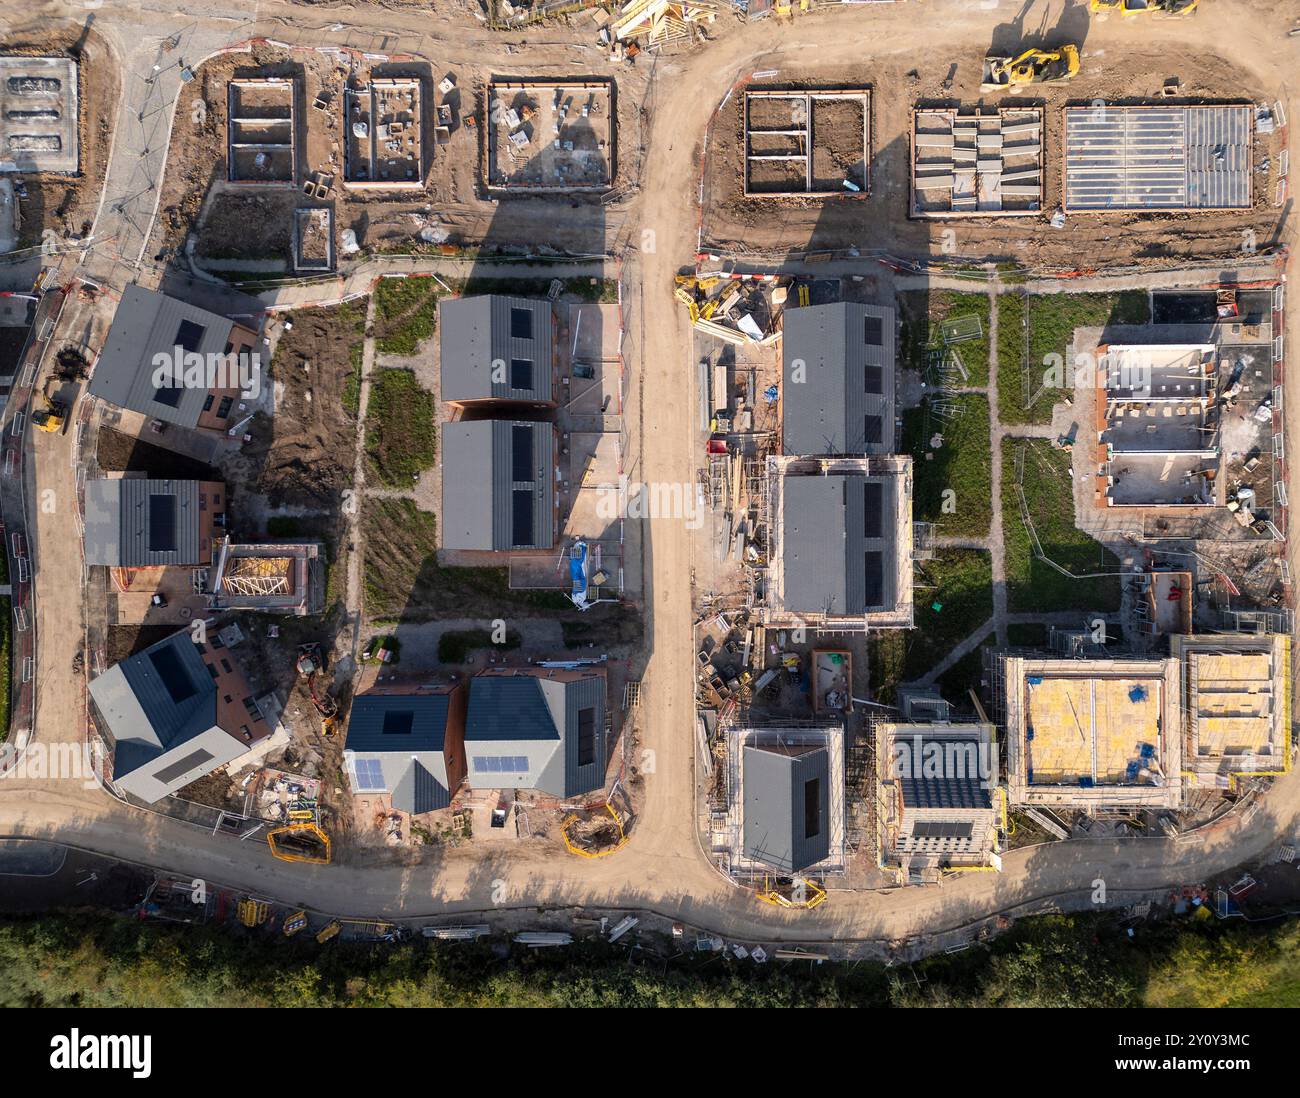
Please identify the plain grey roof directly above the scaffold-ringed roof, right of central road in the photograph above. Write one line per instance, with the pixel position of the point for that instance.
(846, 380)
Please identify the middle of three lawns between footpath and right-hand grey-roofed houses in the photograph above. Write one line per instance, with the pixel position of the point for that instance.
(963, 465)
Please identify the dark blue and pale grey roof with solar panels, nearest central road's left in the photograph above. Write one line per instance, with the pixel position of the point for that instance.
(536, 722)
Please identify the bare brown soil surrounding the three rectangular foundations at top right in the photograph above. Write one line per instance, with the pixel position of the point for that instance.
(777, 227)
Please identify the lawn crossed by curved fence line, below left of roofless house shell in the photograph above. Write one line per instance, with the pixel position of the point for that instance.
(1032, 584)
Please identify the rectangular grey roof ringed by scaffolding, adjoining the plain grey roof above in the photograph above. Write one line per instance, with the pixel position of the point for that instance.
(829, 558)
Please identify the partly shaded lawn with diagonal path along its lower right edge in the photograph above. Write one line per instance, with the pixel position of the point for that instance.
(961, 583)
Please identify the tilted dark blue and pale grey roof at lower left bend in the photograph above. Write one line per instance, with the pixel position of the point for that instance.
(155, 701)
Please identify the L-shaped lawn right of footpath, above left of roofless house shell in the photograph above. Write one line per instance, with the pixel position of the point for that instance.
(1052, 318)
